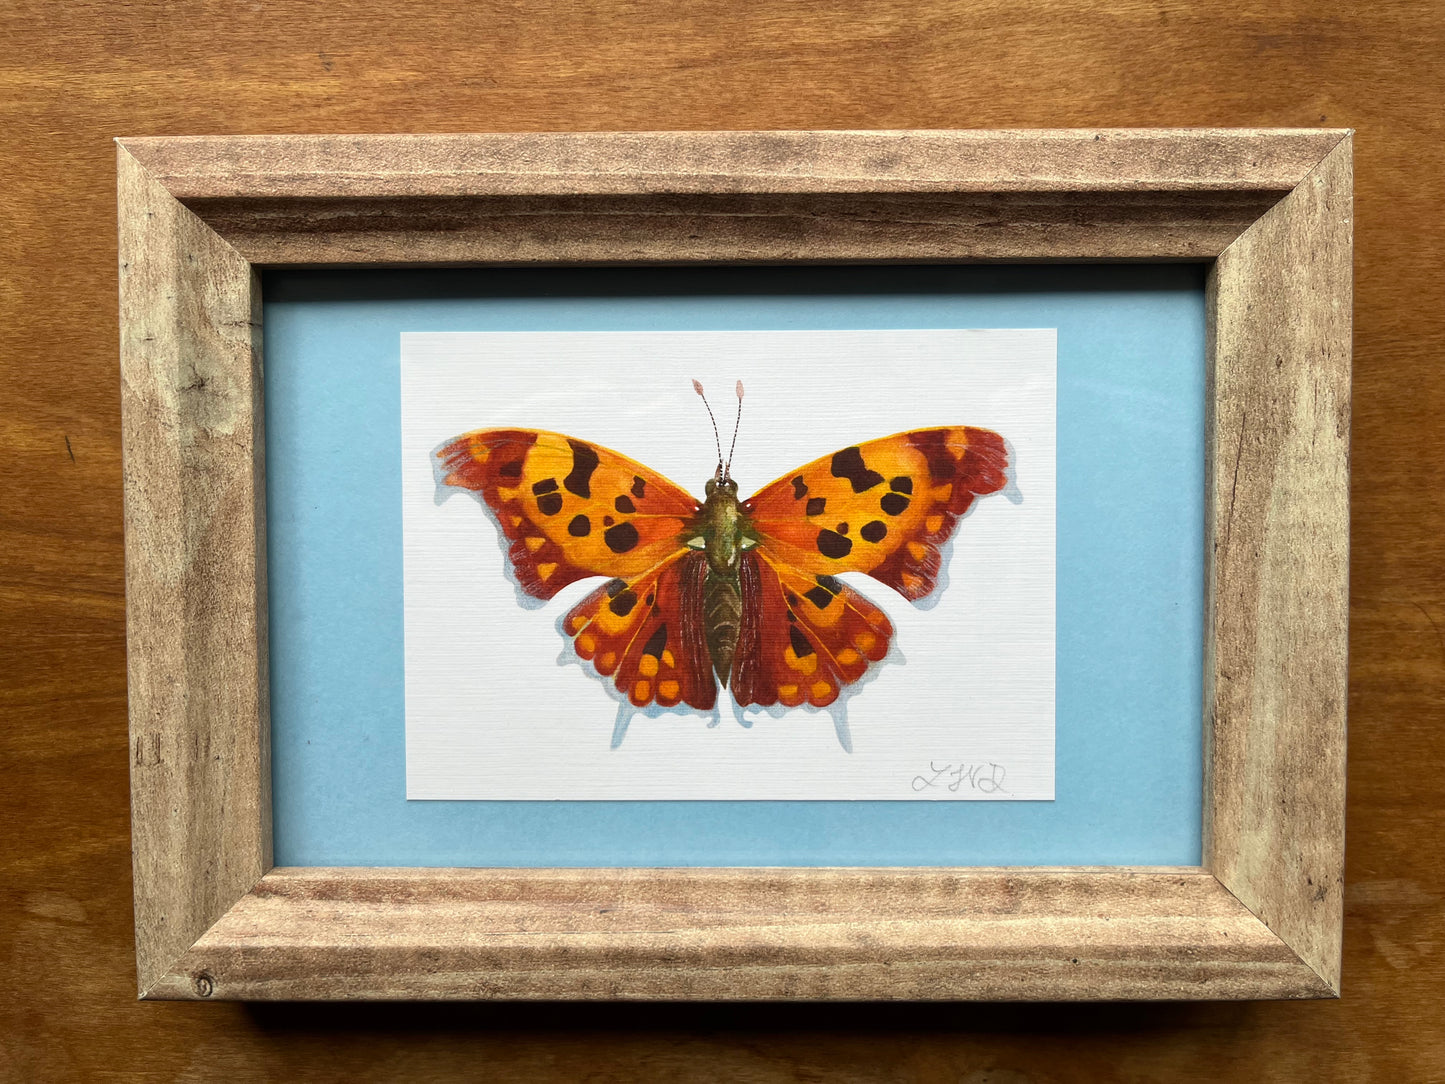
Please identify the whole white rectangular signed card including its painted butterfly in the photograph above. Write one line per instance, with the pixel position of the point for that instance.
(729, 564)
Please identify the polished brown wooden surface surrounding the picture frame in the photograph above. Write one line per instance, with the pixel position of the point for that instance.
(76, 74)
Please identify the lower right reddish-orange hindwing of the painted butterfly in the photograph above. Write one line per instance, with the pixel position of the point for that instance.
(803, 638)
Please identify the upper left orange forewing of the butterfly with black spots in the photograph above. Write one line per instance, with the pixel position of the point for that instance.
(571, 509)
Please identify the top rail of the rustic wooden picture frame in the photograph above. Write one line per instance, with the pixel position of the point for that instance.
(736, 197)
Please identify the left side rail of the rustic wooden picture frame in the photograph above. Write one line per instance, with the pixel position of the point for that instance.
(196, 566)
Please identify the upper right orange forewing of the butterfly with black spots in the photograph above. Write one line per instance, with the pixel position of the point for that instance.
(884, 508)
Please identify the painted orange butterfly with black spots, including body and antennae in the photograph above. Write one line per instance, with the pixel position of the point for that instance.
(728, 592)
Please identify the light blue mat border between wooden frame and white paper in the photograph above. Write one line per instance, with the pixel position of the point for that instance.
(1131, 567)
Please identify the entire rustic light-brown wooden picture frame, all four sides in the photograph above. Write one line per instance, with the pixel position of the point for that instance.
(1269, 210)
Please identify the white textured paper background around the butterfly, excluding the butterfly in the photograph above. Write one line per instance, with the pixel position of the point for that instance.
(963, 707)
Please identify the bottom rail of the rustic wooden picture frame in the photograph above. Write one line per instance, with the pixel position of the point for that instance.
(762, 934)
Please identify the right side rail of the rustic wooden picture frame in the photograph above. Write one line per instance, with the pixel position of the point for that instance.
(1280, 557)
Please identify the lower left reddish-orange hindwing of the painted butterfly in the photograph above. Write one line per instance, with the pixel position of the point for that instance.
(647, 635)
